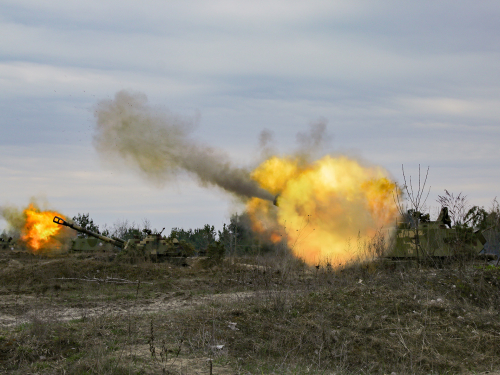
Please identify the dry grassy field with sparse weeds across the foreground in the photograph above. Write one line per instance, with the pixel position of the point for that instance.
(79, 314)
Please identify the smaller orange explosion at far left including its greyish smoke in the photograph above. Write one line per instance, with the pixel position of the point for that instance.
(37, 231)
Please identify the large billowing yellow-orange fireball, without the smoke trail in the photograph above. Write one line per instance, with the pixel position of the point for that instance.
(327, 208)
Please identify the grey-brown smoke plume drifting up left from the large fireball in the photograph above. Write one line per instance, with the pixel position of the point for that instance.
(158, 145)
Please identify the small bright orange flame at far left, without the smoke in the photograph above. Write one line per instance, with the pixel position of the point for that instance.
(39, 231)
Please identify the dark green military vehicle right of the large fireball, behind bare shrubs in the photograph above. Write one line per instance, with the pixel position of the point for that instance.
(419, 237)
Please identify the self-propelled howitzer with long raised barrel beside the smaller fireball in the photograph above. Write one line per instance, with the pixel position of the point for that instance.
(154, 246)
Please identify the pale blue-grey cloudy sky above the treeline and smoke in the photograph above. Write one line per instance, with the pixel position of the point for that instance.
(398, 84)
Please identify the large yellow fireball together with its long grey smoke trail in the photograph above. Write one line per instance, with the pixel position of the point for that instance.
(325, 205)
